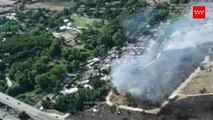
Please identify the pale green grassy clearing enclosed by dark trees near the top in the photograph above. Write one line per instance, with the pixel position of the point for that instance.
(83, 21)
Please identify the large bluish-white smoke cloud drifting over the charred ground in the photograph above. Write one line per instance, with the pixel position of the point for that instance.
(169, 58)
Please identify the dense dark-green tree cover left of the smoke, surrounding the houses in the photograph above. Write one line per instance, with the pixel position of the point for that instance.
(36, 61)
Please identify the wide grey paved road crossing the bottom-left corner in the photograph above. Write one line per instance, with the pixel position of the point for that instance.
(16, 104)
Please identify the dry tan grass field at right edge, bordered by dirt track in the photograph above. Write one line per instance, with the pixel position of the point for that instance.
(203, 80)
